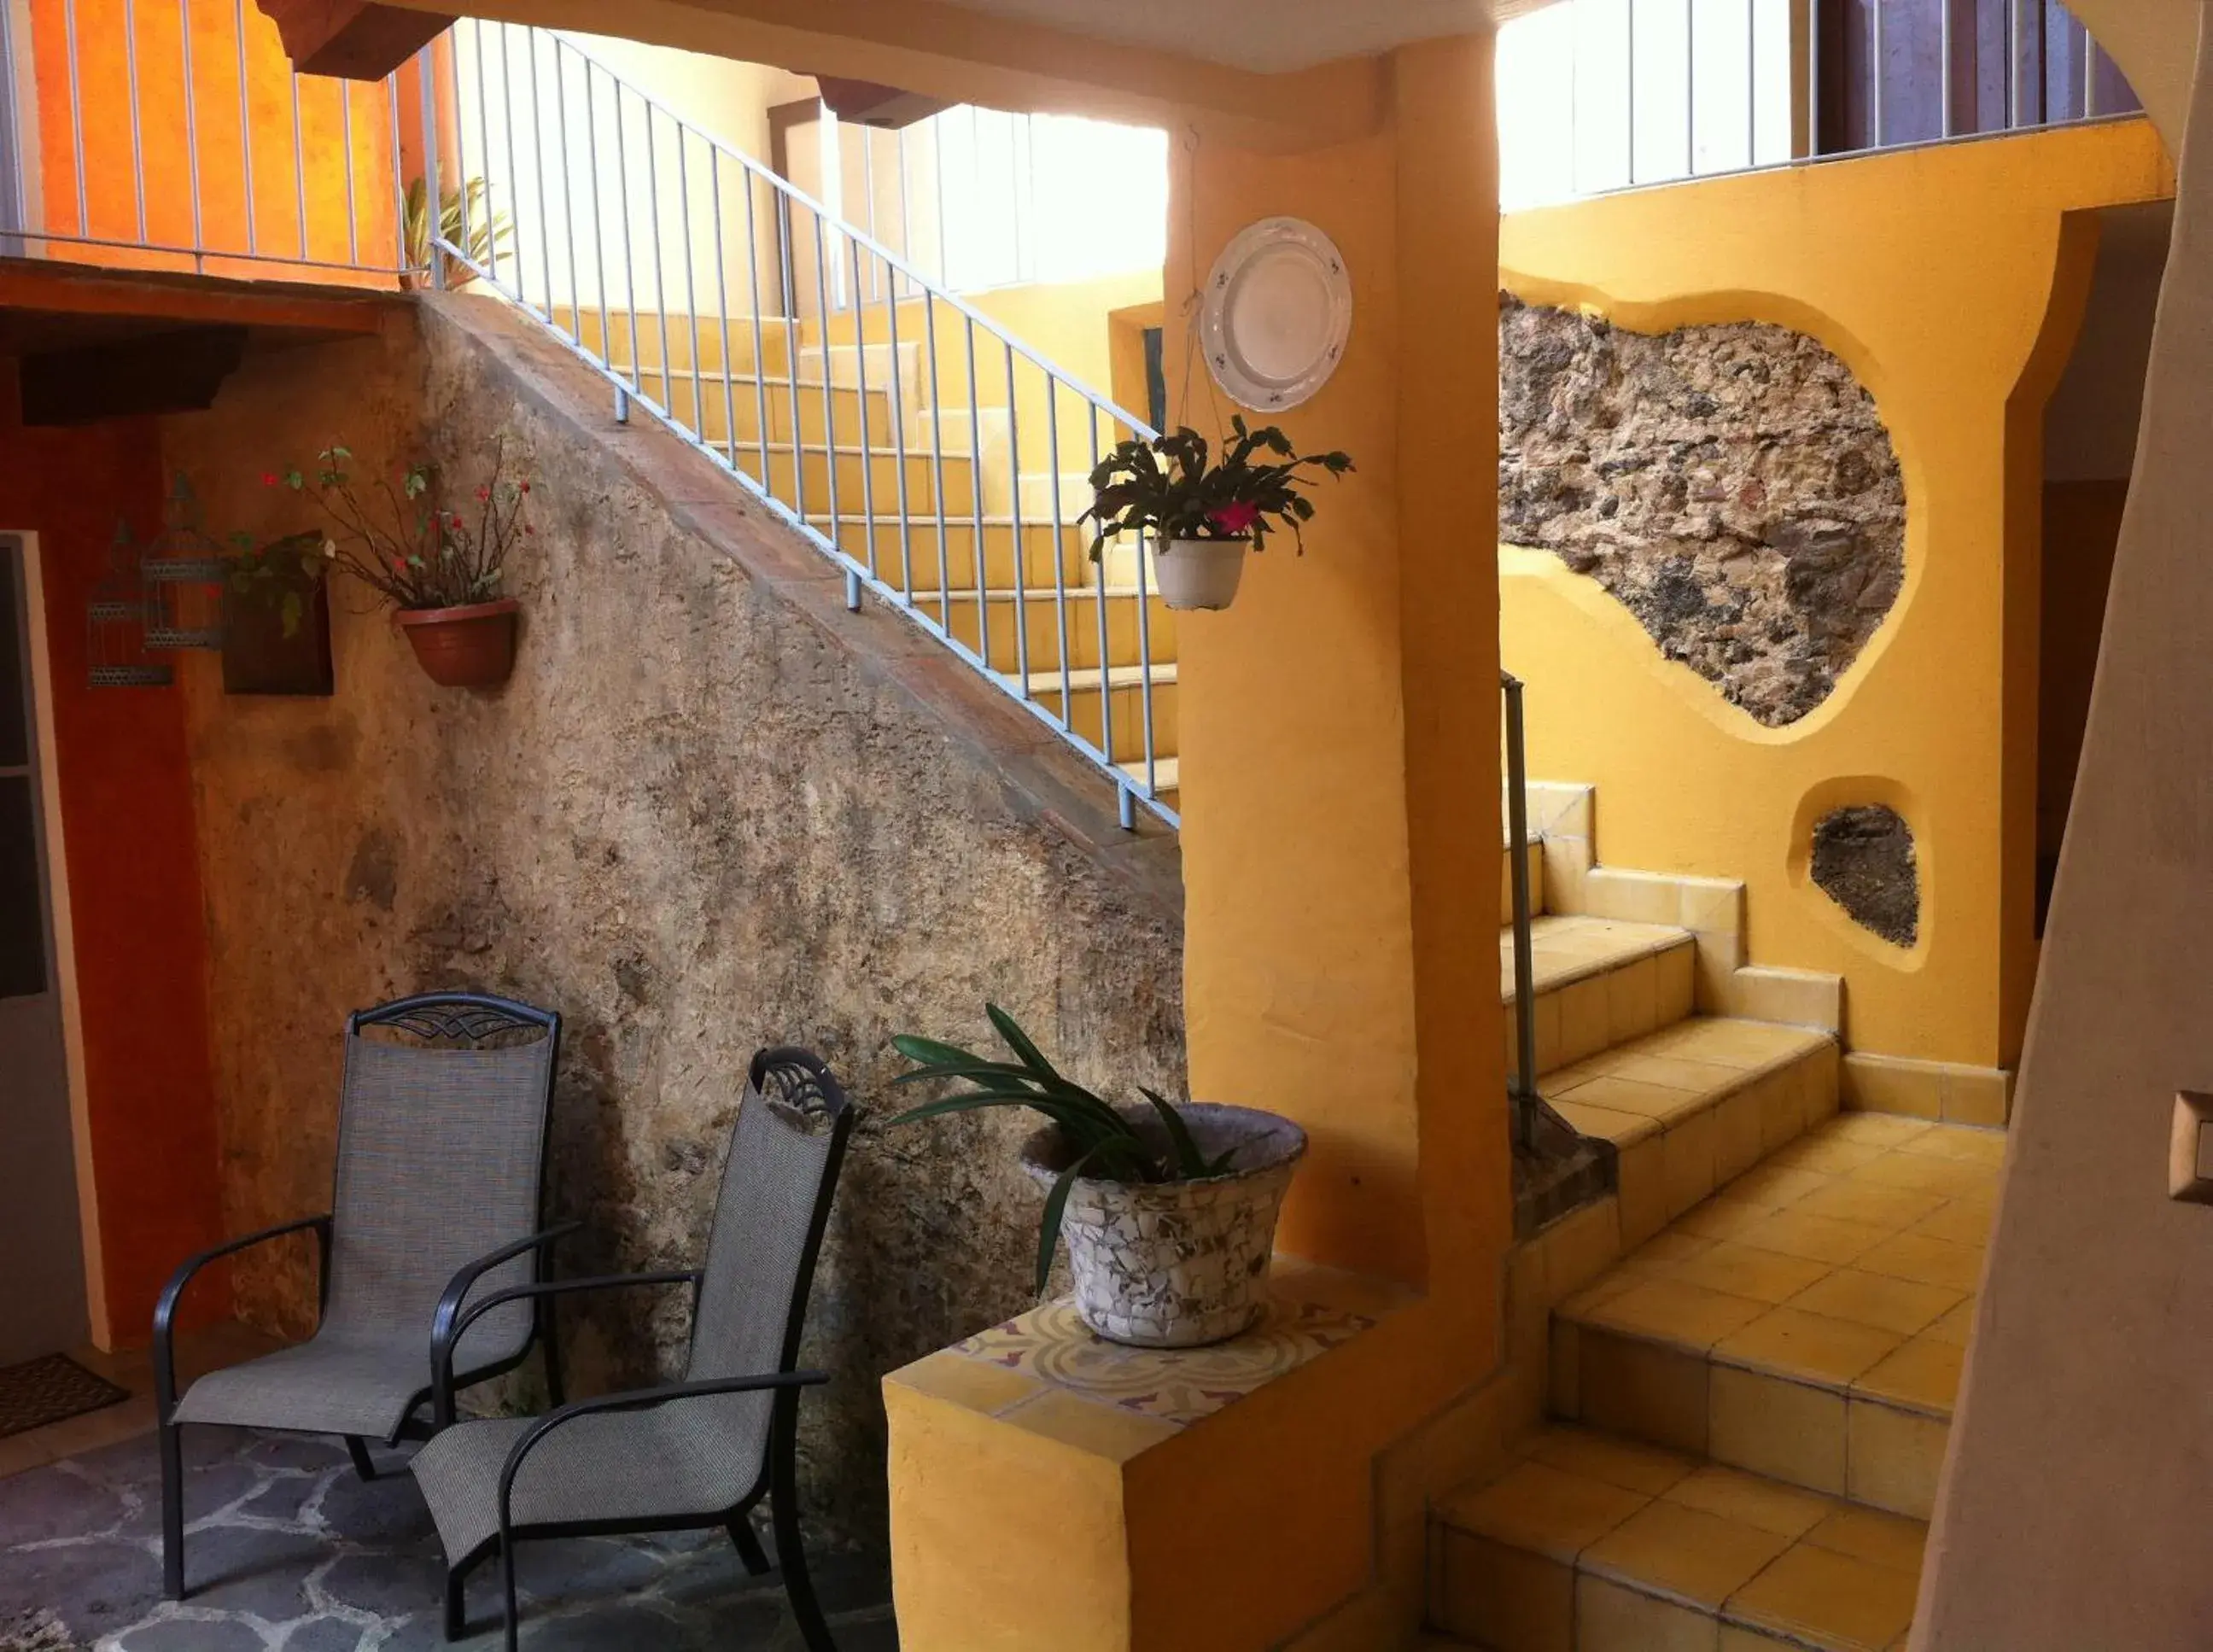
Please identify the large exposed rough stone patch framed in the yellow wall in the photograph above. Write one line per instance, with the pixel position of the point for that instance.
(1732, 485)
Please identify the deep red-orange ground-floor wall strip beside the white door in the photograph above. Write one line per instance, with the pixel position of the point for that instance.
(134, 879)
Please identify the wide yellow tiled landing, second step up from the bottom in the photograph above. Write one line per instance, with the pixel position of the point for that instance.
(1807, 1321)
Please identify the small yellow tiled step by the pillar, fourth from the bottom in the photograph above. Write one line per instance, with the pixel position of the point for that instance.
(1599, 983)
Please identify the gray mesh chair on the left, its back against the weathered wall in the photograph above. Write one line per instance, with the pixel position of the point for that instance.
(435, 1204)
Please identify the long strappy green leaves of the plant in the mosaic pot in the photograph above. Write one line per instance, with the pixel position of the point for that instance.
(1103, 1140)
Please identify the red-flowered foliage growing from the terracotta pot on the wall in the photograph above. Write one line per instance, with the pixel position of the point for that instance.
(402, 536)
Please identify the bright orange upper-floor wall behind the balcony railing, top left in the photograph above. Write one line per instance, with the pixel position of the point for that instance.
(340, 229)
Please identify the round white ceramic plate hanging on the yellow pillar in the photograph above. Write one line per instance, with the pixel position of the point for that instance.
(1276, 315)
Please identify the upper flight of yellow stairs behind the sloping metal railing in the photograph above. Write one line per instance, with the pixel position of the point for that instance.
(931, 503)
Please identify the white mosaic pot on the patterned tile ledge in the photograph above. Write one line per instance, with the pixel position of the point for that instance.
(1178, 1264)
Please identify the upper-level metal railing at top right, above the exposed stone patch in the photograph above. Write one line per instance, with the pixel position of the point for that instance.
(1599, 96)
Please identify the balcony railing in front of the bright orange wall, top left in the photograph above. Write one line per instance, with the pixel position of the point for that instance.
(174, 136)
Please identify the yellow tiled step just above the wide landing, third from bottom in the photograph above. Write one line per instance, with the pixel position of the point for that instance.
(1694, 1107)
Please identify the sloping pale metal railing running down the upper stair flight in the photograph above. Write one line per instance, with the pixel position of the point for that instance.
(931, 454)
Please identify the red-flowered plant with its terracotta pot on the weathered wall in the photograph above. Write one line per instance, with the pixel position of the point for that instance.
(435, 565)
